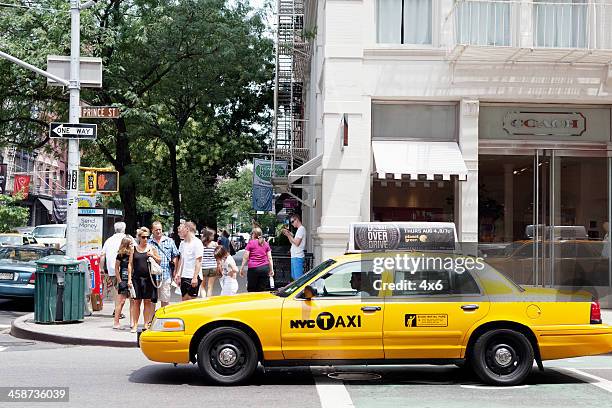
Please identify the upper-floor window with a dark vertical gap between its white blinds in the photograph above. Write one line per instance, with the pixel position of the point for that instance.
(404, 21)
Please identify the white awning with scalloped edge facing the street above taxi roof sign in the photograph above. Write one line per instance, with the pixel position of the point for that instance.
(408, 160)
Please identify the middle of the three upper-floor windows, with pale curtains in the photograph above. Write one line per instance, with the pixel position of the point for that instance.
(483, 22)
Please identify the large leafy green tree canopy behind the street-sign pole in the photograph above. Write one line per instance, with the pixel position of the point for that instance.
(192, 79)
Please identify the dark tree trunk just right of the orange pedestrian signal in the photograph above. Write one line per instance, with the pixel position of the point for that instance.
(127, 188)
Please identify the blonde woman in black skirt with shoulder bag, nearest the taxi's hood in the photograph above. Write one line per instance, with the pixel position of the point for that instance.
(142, 280)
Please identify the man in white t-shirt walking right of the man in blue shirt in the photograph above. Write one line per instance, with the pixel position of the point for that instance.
(190, 262)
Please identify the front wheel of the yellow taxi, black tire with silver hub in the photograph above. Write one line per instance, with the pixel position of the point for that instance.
(238, 350)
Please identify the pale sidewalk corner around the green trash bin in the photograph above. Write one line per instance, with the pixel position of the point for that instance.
(97, 330)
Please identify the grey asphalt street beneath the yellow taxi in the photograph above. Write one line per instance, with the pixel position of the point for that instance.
(113, 377)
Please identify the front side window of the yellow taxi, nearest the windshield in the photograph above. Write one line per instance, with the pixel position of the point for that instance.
(349, 280)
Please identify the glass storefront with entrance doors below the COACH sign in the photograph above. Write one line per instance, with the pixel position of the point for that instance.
(543, 218)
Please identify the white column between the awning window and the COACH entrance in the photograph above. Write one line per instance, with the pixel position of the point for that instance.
(467, 192)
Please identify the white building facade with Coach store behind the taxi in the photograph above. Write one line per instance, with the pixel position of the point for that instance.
(494, 115)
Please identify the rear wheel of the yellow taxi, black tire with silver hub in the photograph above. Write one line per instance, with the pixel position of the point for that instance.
(502, 357)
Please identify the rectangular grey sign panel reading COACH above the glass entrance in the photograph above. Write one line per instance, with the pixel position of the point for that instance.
(533, 123)
